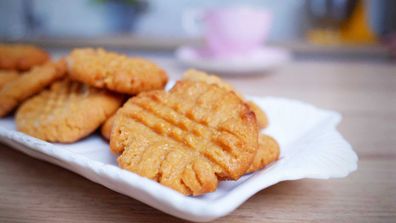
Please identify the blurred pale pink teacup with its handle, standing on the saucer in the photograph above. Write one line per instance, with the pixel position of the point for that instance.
(230, 31)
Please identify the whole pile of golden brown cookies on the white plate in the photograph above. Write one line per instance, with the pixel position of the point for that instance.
(189, 138)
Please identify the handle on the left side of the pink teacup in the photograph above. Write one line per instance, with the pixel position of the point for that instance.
(192, 21)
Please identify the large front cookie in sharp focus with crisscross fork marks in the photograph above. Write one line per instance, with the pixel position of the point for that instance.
(186, 138)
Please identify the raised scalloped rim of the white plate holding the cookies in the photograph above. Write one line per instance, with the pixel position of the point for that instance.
(161, 197)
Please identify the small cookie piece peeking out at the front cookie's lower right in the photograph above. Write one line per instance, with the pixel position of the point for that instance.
(267, 152)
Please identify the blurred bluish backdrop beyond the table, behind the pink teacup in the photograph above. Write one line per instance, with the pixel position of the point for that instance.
(158, 25)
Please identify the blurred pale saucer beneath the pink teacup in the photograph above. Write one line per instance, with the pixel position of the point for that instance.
(258, 61)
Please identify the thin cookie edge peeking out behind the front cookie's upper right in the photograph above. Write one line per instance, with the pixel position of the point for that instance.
(196, 75)
